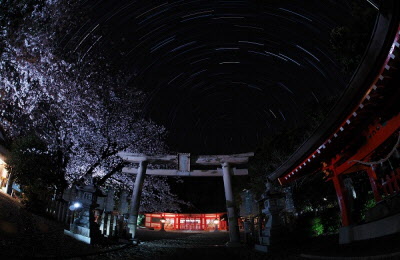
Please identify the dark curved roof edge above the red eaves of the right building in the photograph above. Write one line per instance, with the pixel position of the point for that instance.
(386, 26)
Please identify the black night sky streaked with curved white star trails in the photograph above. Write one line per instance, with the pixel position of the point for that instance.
(221, 75)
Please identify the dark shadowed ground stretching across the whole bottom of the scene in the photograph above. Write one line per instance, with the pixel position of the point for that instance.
(26, 236)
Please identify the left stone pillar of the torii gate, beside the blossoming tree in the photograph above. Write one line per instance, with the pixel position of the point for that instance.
(135, 202)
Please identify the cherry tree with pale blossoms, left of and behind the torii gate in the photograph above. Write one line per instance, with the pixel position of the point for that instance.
(78, 111)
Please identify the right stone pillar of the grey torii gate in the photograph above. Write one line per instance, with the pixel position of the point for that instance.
(234, 235)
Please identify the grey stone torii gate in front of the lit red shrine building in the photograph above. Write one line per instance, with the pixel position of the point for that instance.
(184, 161)
